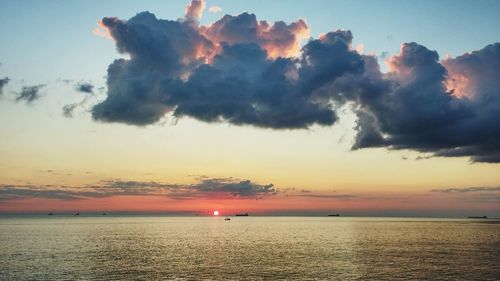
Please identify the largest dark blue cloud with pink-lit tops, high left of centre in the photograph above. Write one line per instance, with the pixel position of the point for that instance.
(175, 68)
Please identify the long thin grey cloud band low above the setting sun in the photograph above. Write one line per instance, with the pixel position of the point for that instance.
(207, 187)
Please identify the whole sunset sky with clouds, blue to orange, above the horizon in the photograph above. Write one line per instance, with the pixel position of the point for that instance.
(268, 107)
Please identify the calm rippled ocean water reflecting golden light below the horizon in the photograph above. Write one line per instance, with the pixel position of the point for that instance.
(248, 248)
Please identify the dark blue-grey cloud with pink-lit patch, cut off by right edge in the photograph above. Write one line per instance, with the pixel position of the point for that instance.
(450, 109)
